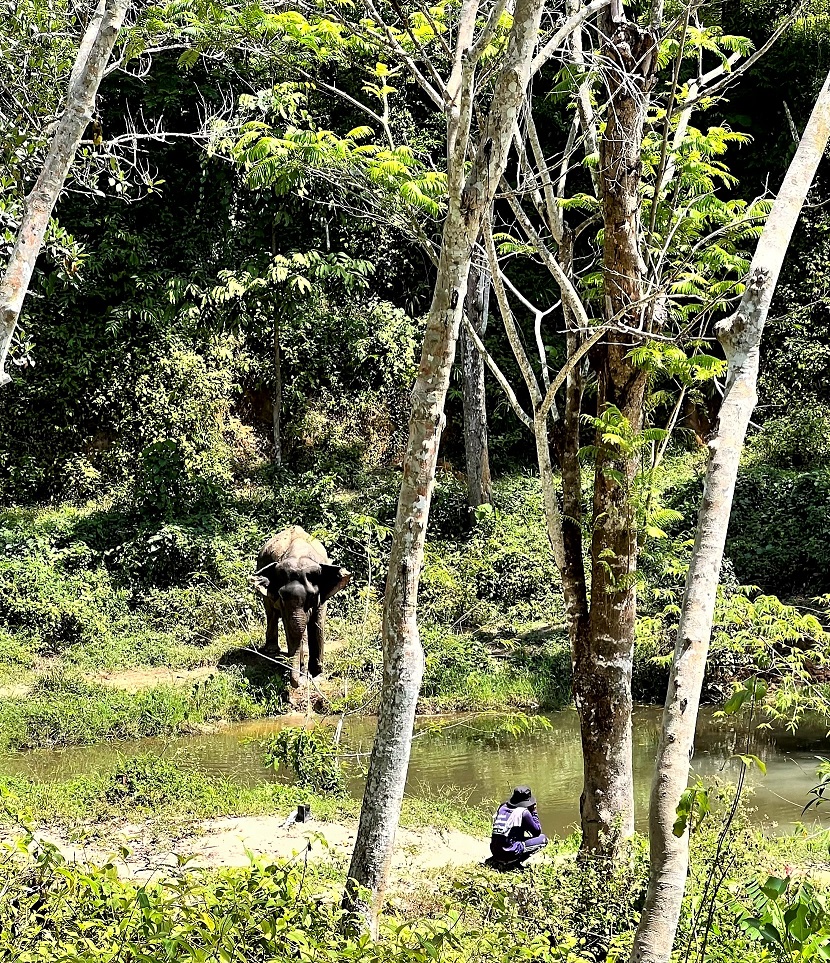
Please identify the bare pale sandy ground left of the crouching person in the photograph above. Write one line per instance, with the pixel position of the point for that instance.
(227, 842)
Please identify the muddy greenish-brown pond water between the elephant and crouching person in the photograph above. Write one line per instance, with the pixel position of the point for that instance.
(465, 761)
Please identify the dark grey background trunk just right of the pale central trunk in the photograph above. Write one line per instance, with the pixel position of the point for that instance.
(475, 403)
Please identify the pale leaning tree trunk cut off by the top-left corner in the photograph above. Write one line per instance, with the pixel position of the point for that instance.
(93, 56)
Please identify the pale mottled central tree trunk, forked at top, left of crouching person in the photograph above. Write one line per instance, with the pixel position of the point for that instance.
(403, 657)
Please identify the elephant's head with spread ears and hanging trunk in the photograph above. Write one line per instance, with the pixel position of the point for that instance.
(300, 586)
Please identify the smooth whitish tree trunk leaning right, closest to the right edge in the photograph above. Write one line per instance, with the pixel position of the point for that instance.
(740, 336)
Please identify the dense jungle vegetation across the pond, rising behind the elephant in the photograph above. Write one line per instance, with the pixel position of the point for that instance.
(136, 463)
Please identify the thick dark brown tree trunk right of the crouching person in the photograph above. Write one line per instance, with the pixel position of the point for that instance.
(603, 655)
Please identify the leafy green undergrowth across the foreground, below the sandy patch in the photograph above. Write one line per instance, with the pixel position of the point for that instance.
(562, 911)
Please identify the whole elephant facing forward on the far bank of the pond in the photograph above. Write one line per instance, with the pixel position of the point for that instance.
(296, 579)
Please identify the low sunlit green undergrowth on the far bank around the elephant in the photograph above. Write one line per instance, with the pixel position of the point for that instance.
(116, 625)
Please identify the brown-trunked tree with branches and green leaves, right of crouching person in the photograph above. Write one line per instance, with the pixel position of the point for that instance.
(671, 254)
